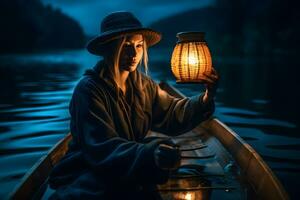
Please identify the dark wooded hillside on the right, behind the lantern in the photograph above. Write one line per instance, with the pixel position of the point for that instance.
(240, 27)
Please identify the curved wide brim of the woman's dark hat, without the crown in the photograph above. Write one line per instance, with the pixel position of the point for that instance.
(97, 45)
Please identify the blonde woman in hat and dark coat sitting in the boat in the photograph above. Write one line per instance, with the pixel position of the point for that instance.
(113, 107)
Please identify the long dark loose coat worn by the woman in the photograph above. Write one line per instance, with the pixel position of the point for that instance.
(107, 152)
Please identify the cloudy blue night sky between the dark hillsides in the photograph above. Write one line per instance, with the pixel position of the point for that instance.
(89, 13)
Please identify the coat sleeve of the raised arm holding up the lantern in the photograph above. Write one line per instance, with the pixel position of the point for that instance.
(174, 116)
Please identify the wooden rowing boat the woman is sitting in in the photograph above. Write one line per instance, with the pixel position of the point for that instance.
(216, 164)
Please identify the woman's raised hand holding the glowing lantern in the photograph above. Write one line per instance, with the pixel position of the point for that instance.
(211, 81)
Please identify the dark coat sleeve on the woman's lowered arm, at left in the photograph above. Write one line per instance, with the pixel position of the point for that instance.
(112, 157)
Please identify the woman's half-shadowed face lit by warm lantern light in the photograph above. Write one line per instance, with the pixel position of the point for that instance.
(131, 53)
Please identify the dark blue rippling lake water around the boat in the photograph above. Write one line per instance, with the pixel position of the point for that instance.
(256, 98)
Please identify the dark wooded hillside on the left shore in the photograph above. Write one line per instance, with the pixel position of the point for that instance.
(28, 25)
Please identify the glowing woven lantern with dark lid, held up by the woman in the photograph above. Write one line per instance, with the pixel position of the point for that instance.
(191, 58)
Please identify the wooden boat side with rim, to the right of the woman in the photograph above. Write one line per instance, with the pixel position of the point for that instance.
(253, 166)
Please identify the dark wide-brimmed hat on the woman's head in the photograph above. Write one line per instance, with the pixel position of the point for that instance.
(118, 24)
